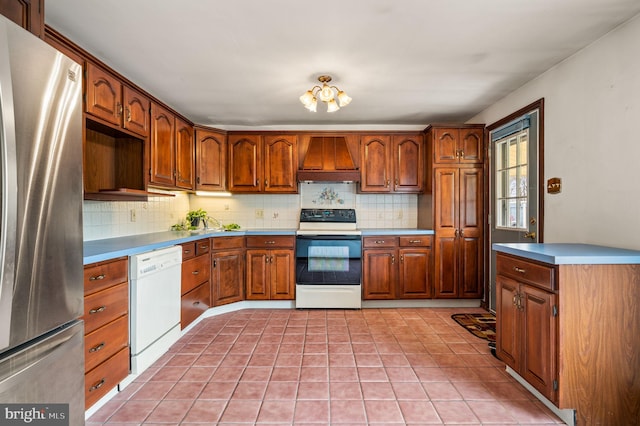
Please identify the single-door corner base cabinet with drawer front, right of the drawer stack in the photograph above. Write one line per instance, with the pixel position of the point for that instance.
(227, 270)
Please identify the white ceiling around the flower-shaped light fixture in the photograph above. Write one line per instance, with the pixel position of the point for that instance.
(405, 63)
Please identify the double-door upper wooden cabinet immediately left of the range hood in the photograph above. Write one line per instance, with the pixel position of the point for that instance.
(262, 163)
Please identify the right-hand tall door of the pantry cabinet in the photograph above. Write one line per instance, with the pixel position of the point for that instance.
(470, 233)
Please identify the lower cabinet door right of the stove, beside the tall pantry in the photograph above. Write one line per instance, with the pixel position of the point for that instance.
(415, 282)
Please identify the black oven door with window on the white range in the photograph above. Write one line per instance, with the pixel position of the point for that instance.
(328, 259)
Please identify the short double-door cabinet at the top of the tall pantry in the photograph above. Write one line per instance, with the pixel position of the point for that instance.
(457, 145)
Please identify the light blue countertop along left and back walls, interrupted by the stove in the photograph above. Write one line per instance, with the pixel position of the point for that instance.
(111, 248)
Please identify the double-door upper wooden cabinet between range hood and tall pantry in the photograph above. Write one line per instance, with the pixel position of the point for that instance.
(392, 163)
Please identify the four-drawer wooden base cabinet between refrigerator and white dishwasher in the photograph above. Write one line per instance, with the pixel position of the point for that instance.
(106, 319)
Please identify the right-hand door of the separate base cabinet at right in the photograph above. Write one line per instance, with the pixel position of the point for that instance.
(538, 340)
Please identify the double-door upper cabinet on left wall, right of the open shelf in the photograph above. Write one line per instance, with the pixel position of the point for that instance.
(171, 150)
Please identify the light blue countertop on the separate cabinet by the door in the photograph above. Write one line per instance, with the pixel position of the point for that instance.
(570, 254)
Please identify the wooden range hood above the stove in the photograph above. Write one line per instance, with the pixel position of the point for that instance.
(328, 160)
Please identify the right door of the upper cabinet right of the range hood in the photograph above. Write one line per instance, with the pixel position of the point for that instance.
(408, 157)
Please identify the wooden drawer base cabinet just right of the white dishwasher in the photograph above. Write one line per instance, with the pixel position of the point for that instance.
(196, 297)
